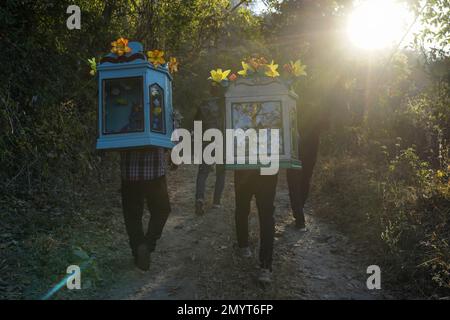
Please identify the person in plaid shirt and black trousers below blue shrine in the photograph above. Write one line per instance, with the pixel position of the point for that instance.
(144, 181)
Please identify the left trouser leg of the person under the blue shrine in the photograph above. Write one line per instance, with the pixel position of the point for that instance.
(133, 208)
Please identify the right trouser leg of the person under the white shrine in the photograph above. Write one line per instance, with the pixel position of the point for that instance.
(265, 196)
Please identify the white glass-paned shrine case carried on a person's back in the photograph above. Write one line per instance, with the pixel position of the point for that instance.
(264, 103)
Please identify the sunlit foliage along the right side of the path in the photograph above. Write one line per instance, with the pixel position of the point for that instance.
(384, 174)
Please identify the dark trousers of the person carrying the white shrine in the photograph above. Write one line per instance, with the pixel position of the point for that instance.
(249, 183)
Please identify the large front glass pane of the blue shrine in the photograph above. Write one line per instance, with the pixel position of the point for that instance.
(123, 105)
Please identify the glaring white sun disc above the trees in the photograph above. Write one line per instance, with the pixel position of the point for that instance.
(376, 24)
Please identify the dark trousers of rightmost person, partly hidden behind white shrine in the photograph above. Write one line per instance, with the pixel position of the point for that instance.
(299, 181)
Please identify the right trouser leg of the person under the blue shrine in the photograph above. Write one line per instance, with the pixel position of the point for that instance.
(159, 206)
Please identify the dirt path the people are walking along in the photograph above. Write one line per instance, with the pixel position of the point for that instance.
(195, 259)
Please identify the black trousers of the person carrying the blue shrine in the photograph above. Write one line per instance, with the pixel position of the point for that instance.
(134, 194)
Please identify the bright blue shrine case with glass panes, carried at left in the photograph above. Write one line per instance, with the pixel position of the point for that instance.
(135, 101)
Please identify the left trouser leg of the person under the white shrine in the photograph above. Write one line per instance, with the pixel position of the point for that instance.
(243, 197)
